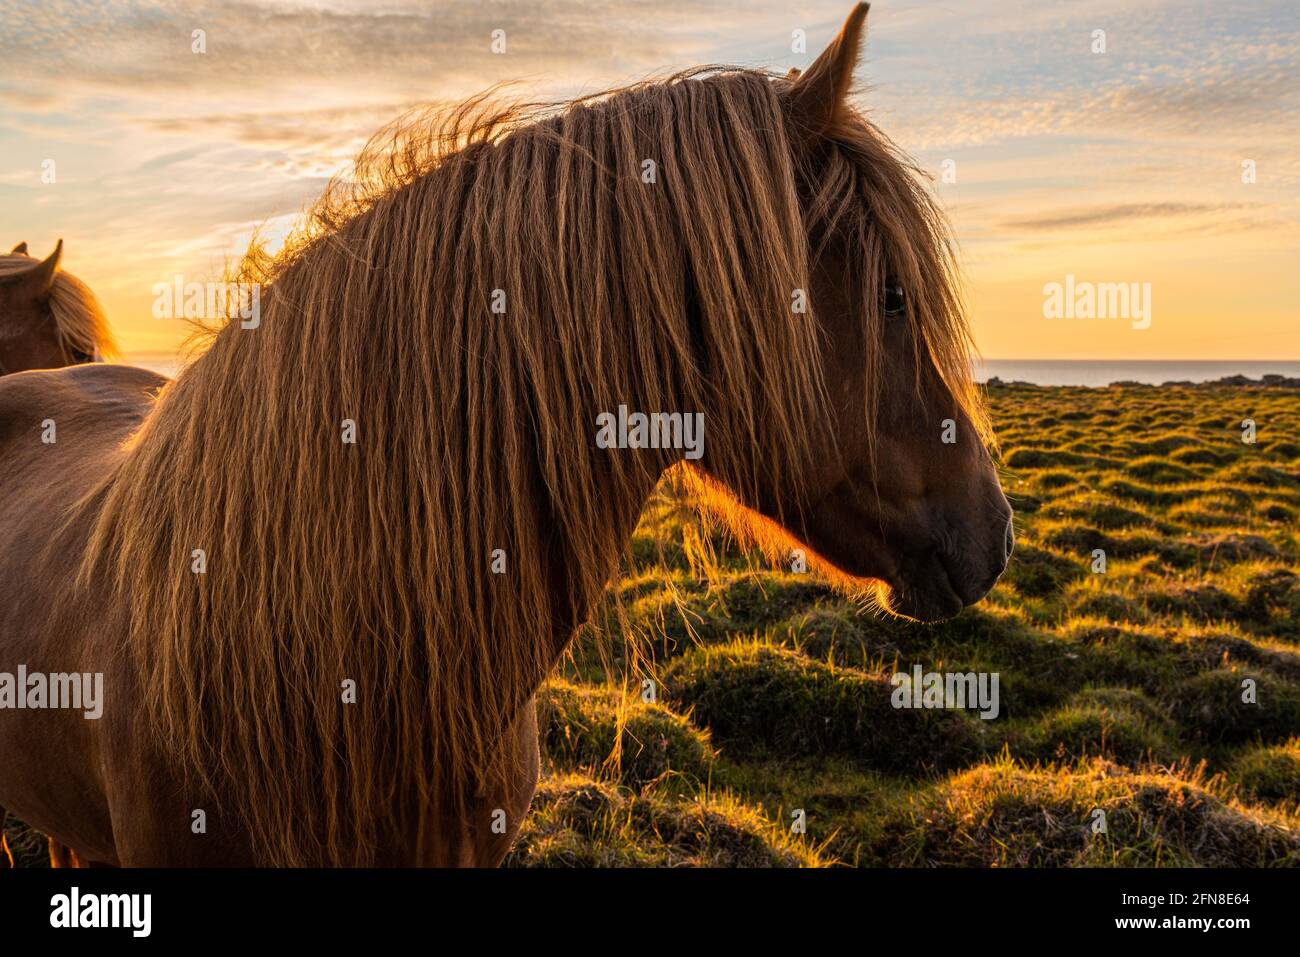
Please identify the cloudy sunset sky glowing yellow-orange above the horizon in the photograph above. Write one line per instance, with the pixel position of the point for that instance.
(1055, 157)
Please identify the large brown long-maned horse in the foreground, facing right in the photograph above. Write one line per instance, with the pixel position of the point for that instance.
(324, 571)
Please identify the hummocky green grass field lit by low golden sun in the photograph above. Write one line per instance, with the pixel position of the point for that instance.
(1121, 692)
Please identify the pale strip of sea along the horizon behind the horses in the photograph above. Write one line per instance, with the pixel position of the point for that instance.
(1039, 371)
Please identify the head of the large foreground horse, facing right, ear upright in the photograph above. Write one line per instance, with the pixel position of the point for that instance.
(899, 486)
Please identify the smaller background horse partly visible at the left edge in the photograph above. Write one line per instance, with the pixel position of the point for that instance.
(49, 319)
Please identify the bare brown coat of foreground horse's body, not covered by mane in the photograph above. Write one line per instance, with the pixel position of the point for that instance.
(103, 787)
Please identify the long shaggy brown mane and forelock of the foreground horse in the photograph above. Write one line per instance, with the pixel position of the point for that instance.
(372, 562)
